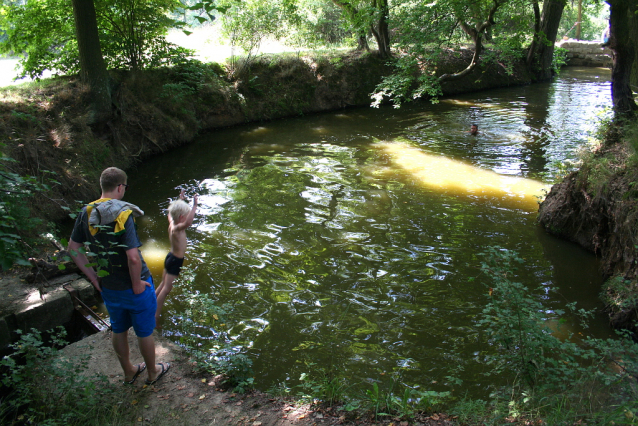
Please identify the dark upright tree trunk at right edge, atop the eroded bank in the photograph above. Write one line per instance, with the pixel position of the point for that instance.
(623, 52)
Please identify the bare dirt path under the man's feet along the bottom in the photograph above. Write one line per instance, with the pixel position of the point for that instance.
(183, 397)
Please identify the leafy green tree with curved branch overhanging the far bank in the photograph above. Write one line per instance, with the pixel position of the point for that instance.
(427, 33)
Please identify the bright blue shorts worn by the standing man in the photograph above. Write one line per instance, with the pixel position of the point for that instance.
(132, 310)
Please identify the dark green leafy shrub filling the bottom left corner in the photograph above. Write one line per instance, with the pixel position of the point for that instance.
(47, 388)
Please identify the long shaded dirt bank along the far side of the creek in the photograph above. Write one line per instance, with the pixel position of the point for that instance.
(50, 129)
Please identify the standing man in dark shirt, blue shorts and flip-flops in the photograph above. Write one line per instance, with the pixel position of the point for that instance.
(107, 227)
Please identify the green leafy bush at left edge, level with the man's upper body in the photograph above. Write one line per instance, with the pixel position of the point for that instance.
(16, 223)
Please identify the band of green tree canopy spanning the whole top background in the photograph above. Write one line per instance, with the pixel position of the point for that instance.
(416, 35)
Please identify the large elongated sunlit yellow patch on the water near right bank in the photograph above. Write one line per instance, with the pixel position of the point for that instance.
(457, 178)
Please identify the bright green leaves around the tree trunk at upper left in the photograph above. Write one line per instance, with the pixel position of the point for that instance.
(131, 34)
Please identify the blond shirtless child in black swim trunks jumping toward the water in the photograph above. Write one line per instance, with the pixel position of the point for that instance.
(180, 217)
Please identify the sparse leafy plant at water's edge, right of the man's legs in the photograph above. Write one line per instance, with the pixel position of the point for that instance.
(211, 347)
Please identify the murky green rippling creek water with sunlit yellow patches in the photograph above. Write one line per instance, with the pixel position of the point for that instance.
(351, 241)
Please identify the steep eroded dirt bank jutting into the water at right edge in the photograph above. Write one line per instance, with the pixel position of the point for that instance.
(597, 207)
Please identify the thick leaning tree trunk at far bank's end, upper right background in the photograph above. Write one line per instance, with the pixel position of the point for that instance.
(541, 52)
